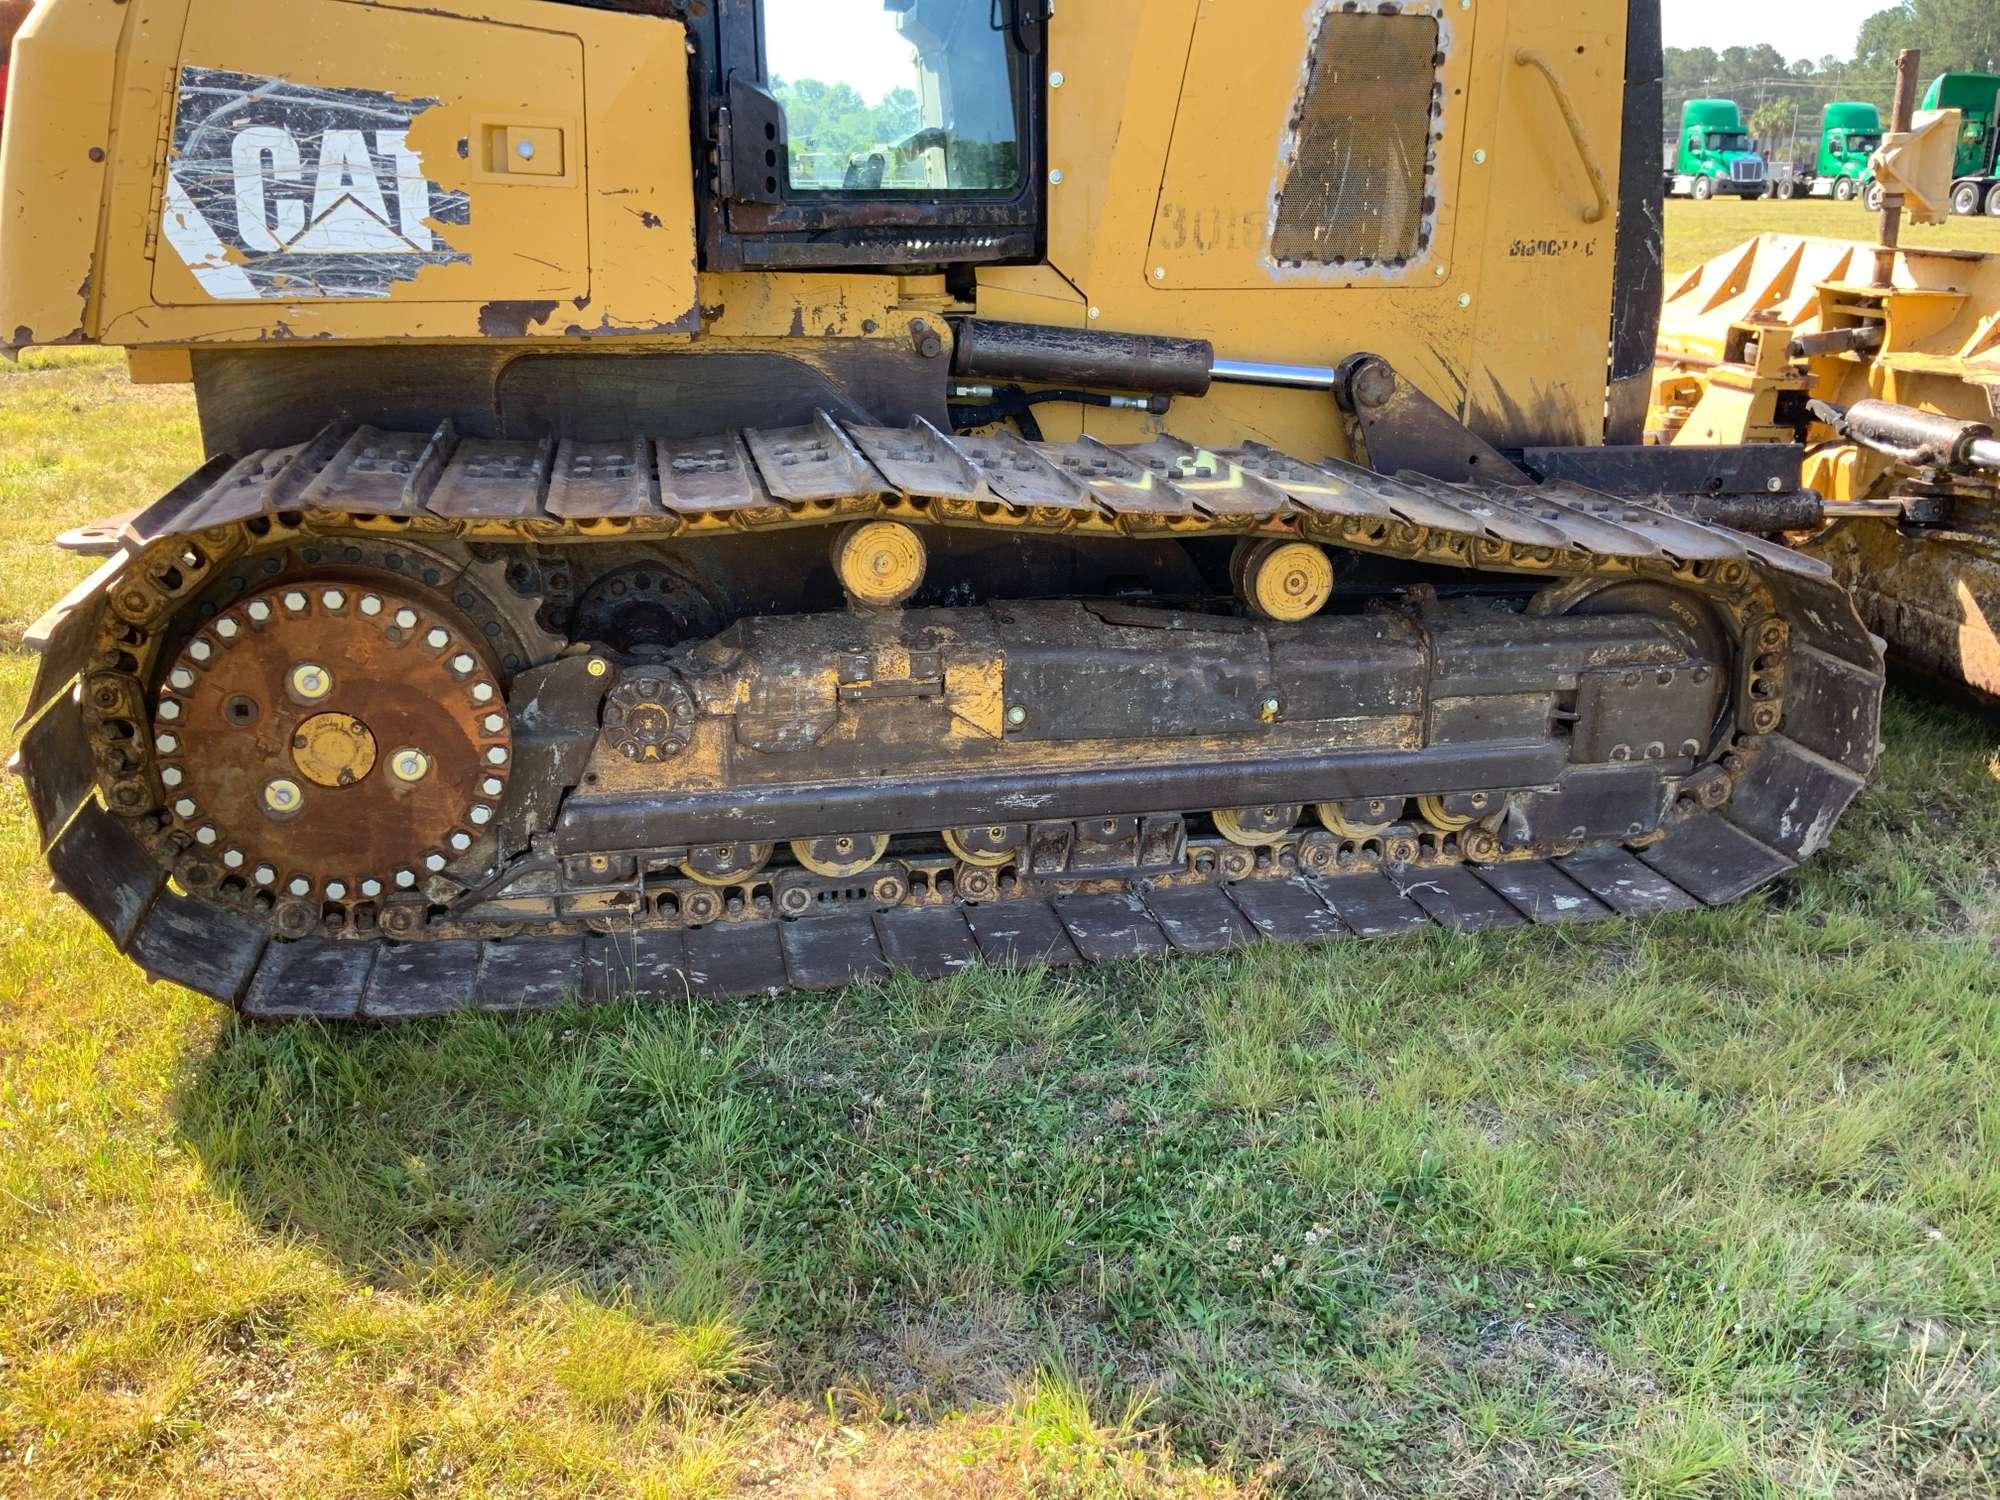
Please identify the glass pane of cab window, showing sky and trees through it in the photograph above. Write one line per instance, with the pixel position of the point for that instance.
(897, 97)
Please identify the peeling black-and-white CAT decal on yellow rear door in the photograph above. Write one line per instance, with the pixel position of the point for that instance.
(297, 193)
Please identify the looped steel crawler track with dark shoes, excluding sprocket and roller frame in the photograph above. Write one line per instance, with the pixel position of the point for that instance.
(1805, 707)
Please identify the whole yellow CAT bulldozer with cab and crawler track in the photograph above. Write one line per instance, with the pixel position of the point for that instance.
(743, 495)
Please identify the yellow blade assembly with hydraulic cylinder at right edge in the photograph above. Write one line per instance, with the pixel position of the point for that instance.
(1887, 377)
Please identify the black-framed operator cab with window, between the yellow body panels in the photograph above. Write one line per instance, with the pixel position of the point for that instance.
(871, 133)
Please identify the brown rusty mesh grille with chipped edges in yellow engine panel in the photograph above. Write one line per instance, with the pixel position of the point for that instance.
(1361, 169)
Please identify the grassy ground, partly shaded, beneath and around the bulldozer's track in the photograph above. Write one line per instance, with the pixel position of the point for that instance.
(1697, 1209)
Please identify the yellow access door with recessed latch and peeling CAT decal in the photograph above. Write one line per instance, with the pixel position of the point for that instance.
(315, 159)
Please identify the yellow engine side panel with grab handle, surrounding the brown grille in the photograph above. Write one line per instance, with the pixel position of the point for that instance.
(1503, 319)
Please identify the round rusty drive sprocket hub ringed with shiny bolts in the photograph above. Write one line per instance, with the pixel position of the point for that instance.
(331, 741)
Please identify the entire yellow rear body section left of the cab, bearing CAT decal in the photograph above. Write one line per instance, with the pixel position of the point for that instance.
(349, 171)
